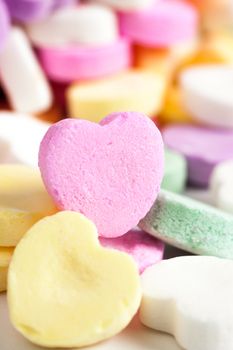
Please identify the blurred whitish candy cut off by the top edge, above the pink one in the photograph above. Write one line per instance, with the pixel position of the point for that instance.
(126, 5)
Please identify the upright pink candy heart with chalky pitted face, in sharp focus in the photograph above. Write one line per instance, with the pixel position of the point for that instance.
(110, 172)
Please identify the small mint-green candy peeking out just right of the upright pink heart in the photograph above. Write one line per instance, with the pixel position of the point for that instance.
(175, 174)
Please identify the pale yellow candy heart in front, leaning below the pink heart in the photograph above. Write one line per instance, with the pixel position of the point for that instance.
(65, 290)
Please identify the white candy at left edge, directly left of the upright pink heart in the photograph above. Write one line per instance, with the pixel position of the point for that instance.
(20, 149)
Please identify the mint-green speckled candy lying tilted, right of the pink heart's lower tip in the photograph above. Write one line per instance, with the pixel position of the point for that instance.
(190, 225)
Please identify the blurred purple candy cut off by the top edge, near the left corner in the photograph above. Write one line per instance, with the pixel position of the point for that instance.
(33, 10)
